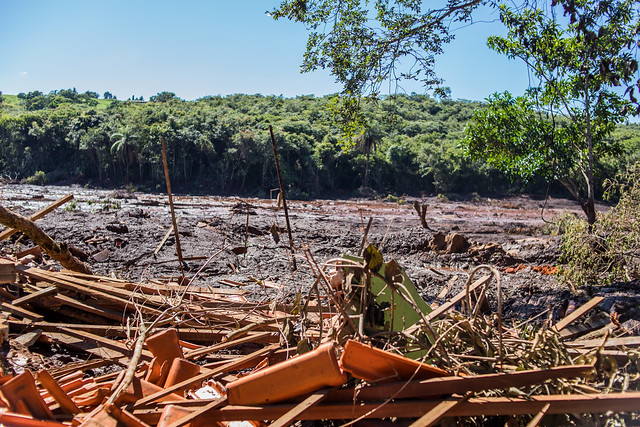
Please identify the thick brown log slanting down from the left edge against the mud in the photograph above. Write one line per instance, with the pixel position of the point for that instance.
(59, 252)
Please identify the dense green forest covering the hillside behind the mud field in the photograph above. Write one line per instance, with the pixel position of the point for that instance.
(221, 145)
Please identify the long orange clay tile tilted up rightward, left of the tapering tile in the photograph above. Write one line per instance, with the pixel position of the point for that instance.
(294, 377)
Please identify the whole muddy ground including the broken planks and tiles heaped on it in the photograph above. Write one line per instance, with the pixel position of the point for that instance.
(418, 315)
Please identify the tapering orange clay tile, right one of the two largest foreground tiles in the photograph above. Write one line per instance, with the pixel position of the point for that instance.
(375, 365)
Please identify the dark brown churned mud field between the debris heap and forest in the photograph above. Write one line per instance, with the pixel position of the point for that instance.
(231, 242)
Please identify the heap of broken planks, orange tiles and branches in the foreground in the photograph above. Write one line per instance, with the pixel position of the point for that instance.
(361, 344)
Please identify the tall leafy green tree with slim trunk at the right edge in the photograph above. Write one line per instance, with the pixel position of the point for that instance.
(577, 61)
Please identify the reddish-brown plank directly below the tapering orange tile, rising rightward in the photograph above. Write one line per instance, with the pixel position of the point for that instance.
(460, 385)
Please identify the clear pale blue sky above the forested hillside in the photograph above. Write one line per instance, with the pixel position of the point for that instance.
(198, 48)
